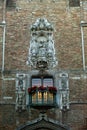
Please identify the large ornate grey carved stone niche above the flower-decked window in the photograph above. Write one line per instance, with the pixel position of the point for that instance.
(41, 51)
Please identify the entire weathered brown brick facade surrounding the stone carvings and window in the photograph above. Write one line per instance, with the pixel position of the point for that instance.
(68, 44)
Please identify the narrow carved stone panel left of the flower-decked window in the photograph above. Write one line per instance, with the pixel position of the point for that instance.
(20, 92)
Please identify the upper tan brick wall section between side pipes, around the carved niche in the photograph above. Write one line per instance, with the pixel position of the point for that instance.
(64, 20)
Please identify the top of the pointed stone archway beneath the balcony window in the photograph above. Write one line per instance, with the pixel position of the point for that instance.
(43, 123)
